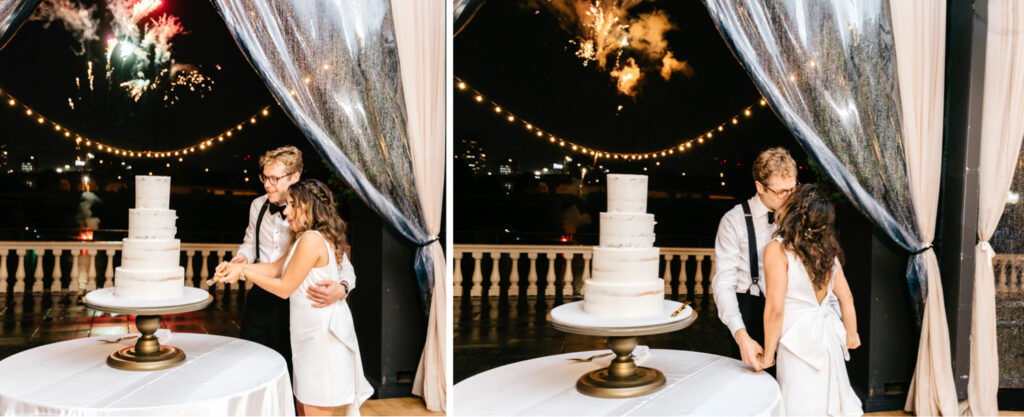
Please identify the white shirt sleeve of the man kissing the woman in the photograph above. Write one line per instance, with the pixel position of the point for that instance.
(727, 272)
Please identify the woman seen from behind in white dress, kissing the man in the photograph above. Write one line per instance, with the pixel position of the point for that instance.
(802, 268)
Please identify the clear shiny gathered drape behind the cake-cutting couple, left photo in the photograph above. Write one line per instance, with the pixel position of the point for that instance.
(333, 67)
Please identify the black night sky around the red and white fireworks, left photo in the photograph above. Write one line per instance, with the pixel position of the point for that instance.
(39, 68)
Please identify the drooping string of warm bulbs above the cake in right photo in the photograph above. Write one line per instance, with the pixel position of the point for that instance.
(665, 153)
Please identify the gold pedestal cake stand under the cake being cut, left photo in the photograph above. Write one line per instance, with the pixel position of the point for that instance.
(148, 354)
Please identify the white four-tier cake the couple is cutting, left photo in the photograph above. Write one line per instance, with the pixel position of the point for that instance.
(150, 265)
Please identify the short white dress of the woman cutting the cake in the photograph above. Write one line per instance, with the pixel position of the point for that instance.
(328, 370)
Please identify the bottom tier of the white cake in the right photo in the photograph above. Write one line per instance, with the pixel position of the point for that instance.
(630, 300)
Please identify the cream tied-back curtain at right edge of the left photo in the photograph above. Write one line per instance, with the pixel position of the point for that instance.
(419, 27)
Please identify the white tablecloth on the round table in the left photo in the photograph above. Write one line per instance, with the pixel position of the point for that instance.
(221, 377)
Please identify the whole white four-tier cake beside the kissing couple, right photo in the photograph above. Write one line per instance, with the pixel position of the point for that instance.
(625, 282)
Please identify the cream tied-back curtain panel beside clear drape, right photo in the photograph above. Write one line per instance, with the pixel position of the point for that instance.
(919, 31)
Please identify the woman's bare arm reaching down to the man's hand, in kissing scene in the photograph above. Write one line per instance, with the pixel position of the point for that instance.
(777, 269)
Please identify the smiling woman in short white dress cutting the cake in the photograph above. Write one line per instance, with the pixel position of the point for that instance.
(328, 371)
